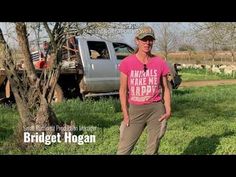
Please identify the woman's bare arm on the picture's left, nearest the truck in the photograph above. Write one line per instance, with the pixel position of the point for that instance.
(124, 97)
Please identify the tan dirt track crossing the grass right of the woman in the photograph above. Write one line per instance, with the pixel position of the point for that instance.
(207, 83)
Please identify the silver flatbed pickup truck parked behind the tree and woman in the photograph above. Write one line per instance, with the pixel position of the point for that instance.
(90, 72)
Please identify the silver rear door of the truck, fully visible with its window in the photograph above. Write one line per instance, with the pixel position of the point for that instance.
(101, 71)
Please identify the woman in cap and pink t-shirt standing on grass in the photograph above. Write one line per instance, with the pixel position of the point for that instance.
(144, 95)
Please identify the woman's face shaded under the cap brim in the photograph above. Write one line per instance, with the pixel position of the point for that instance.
(145, 44)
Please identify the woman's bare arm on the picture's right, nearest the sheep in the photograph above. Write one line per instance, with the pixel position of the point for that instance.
(167, 98)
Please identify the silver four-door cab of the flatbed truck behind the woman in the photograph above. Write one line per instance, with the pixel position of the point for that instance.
(100, 60)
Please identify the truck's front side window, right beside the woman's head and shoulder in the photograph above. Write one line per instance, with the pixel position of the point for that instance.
(122, 50)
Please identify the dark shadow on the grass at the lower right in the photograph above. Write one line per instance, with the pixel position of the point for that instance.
(205, 145)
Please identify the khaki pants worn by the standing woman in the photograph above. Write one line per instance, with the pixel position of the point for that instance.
(142, 116)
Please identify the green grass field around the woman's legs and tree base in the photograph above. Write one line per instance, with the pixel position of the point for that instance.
(203, 122)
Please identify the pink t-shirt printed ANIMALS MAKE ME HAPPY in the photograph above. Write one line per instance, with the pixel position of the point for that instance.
(144, 87)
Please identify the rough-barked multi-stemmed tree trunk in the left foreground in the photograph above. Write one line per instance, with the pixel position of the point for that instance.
(33, 94)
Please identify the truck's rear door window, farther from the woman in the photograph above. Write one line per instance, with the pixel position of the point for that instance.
(98, 50)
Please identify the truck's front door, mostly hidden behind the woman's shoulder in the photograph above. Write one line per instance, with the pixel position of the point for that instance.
(121, 50)
